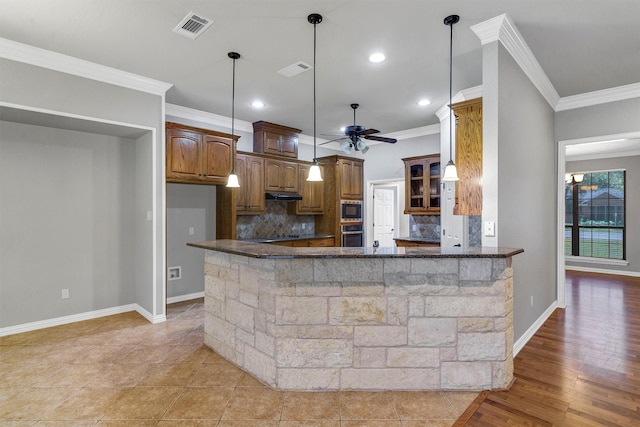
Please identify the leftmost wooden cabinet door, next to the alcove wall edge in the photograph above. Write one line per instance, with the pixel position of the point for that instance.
(183, 155)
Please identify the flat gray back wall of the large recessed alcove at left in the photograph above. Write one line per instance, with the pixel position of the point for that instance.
(66, 222)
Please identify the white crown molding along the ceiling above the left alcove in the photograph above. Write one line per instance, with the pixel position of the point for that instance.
(32, 55)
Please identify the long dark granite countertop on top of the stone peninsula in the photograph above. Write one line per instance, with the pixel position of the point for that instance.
(261, 250)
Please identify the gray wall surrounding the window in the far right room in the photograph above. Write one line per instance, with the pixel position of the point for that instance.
(632, 166)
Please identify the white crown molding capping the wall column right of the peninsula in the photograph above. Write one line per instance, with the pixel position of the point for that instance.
(501, 28)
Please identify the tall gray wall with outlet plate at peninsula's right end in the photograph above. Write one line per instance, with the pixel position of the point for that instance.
(519, 164)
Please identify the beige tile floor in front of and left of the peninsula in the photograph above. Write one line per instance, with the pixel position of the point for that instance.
(122, 370)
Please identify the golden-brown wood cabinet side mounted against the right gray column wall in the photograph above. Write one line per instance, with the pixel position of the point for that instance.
(468, 157)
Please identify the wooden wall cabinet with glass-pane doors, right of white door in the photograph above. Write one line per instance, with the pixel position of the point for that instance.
(422, 185)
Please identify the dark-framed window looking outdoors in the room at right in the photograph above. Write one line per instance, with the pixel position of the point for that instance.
(595, 215)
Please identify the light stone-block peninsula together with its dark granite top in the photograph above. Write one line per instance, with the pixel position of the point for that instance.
(362, 318)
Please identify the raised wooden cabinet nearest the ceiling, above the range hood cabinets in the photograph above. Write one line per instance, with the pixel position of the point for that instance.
(278, 140)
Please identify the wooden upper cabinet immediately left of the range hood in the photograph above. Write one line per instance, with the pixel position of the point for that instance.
(250, 196)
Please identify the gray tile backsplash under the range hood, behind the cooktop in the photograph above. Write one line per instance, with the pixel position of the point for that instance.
(275, 222)
